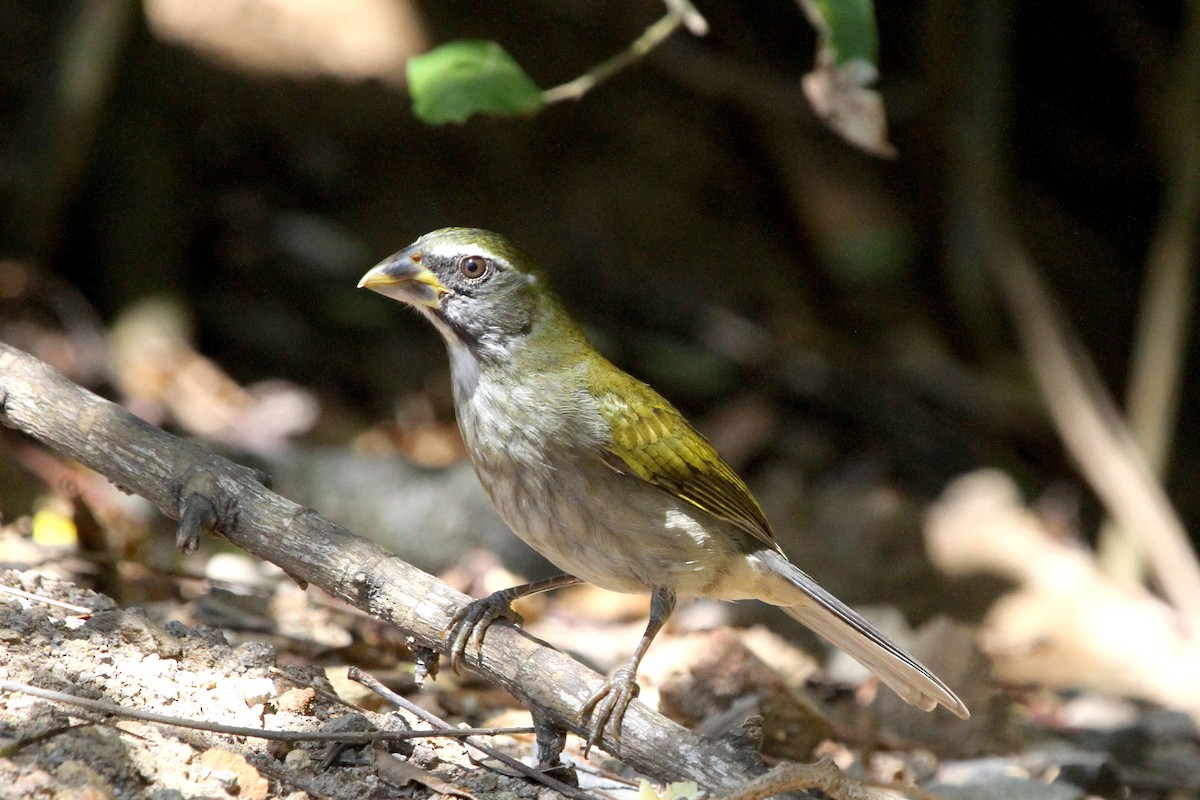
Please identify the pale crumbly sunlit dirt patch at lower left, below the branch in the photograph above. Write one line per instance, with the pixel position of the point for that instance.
(125, 658)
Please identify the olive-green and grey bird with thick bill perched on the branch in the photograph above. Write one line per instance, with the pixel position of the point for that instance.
(599, 473)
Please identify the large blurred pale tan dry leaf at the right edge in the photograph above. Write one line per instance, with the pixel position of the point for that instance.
(1067, 625)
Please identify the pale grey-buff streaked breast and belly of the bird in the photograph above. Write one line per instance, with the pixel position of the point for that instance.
(547, 477)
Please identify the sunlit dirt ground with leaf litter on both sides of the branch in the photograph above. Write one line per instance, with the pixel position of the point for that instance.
(269, 677)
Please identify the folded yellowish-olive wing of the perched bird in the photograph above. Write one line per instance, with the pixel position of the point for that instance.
(653, 442)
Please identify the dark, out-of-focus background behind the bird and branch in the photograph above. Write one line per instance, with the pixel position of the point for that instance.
(190, 191)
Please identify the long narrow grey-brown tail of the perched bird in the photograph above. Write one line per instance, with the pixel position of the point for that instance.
(827, 616)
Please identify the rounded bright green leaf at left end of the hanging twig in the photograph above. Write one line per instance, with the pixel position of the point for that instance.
(459, 80)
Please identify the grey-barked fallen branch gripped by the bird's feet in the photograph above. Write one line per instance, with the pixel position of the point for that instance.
(181, 477)
